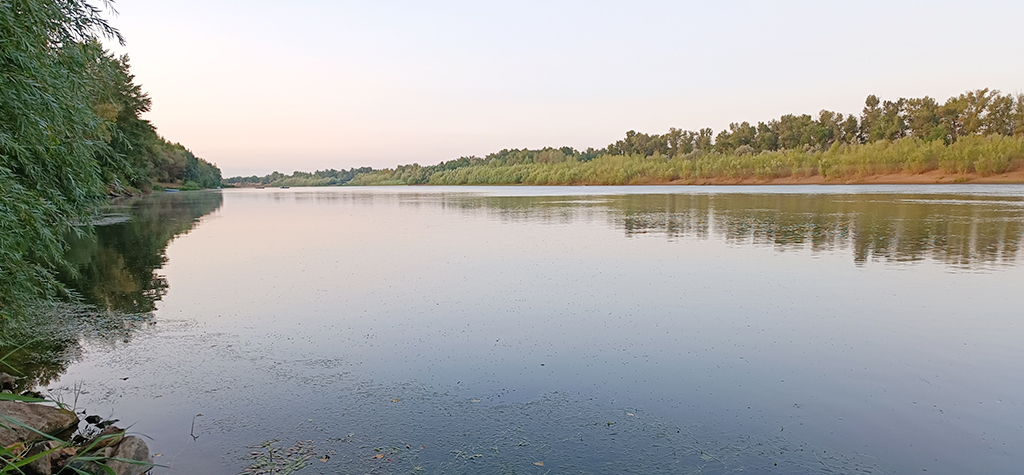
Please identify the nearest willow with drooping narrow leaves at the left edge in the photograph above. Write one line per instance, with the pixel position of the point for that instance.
(51, 138)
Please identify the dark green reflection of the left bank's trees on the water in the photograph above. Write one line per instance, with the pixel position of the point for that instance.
(117, 280)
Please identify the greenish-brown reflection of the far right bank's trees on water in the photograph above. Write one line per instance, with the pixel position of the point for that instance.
(956, 230)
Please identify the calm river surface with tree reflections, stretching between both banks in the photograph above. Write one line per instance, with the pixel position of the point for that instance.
(591, 330)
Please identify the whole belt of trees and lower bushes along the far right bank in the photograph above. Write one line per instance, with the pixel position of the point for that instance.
(975, 138)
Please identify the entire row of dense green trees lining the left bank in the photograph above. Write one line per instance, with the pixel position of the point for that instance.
(70, 135)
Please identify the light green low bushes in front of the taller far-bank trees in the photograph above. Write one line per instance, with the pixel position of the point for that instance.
(987, 156)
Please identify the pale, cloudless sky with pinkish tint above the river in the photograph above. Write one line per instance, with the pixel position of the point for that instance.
(258, 87)
